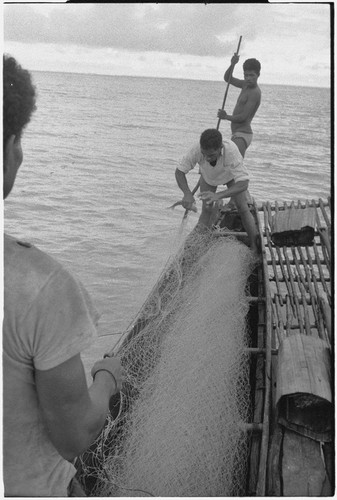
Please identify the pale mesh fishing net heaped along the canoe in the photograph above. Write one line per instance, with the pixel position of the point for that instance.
(179, 429)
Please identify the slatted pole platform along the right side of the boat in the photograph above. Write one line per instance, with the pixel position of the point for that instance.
(299, 452)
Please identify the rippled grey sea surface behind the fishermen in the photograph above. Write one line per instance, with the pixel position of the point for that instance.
(98, 174)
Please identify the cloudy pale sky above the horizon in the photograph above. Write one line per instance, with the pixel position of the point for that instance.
(176, 40)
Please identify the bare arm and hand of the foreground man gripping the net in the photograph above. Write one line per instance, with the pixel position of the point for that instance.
(74, 415)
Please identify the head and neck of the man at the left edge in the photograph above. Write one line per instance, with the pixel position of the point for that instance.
(18, 106)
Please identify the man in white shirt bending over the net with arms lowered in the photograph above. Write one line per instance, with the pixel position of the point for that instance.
(220, 162)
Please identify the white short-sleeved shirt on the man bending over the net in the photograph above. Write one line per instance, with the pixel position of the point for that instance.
(229, 165)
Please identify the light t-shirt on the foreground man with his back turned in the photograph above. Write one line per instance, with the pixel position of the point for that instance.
(48, 318)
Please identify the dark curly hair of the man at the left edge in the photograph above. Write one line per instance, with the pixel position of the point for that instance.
(19, 98)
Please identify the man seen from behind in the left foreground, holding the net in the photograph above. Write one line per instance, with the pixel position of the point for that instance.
(50, 416)
